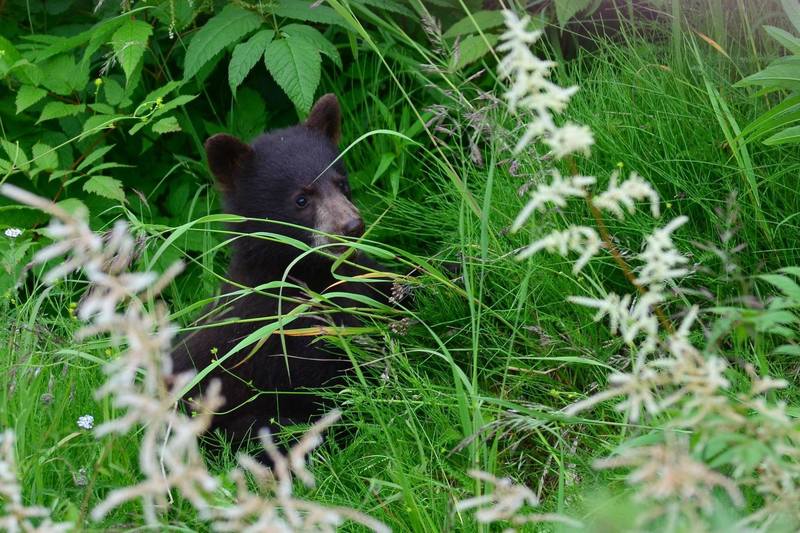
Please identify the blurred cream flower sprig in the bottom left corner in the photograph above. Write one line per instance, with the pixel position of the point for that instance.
(15, 516)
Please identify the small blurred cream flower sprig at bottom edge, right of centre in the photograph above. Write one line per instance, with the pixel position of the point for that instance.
(506, 503)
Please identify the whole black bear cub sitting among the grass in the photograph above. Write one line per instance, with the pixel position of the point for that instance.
(293, 178)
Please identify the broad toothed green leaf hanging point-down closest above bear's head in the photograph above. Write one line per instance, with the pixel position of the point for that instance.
(295, 65)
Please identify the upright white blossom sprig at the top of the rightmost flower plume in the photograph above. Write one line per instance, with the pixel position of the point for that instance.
(662, 262)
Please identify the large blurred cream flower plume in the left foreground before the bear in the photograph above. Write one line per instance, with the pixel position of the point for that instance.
(141, 385)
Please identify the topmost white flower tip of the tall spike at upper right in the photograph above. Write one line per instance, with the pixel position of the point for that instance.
(532, 90)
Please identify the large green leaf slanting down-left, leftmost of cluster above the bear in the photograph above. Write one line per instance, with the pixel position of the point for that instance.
(229, 26)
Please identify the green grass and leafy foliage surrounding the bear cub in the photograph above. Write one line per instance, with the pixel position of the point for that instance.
(105, 111)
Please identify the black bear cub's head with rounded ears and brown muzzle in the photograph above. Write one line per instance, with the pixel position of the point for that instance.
(289, 175)
